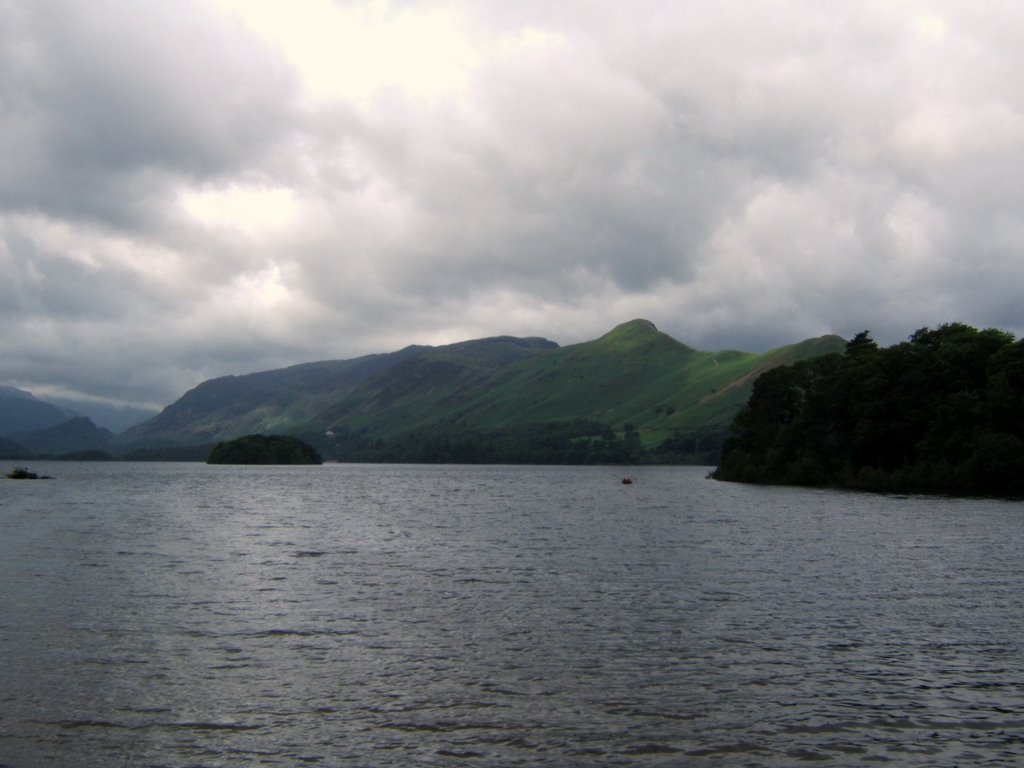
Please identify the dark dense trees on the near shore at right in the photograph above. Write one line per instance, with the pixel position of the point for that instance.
(941, 413)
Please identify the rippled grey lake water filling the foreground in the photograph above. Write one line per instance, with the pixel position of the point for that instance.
(185, 615)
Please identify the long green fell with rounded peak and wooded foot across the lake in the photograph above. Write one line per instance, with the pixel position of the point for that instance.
(491, 400)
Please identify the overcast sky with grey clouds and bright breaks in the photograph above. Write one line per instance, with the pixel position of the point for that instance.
(202, 188)
